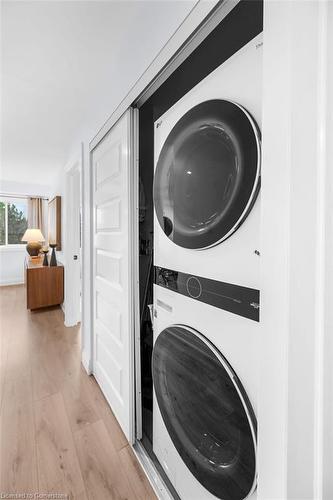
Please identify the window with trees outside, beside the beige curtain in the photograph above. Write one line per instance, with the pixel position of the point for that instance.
(13, 220)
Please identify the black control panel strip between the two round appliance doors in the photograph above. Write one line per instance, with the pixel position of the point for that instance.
(236, 299)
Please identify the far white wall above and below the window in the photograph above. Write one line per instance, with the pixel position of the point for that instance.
(12, 257)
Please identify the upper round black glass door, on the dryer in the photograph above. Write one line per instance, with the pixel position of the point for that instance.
(208, 174)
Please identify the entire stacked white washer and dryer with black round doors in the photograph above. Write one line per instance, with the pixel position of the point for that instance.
(206, 287)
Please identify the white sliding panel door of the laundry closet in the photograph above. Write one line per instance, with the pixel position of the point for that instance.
(113, 207)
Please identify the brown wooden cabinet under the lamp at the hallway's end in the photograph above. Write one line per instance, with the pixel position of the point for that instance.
(45, 284)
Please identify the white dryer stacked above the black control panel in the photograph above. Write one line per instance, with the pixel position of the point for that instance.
(207, 174)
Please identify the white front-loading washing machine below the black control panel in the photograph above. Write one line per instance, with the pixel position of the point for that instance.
(205, 383)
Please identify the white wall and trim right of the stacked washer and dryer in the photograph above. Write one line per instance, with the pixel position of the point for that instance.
(293, 223)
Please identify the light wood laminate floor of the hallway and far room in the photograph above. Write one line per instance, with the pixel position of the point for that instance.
(58, 434)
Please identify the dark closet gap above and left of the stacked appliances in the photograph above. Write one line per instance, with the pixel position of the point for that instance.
(243, 23)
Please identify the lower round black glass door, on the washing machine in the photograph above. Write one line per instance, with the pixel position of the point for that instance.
(206, 412)
